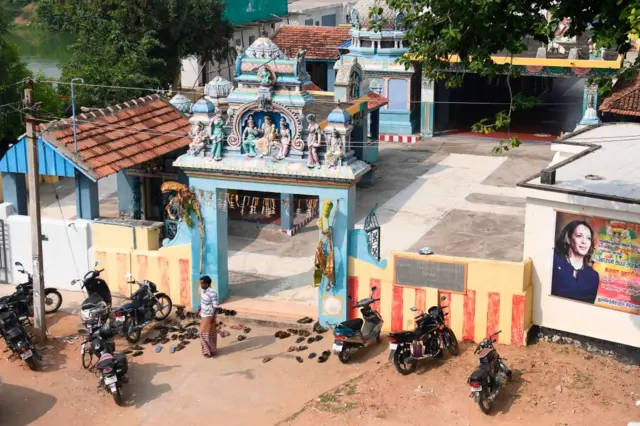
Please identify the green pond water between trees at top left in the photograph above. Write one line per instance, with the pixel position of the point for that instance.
(43, 51)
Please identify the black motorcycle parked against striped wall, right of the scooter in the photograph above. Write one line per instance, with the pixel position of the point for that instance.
(428, 340)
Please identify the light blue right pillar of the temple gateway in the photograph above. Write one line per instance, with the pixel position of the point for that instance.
(342, 219)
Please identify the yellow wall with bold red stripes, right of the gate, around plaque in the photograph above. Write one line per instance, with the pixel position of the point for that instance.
(499, 295)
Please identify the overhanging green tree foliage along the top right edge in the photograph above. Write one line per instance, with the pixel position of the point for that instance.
(475, 30)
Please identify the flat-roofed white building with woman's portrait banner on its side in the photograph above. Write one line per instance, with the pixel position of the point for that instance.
(588, 282)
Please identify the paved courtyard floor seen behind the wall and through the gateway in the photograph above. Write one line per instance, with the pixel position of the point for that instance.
(452, 195)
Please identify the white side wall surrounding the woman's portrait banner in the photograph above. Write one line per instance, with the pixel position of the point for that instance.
(562, 314)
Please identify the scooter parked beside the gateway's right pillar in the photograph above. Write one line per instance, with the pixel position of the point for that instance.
(351, 335)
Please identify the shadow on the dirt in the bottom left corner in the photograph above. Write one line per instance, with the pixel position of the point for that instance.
(22, 406)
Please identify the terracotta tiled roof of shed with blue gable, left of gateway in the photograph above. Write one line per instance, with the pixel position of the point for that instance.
(121, 136)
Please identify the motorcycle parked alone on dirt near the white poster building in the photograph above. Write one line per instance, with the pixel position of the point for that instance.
(492, 375)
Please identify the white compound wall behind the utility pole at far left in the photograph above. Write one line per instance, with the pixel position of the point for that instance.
(66, 248)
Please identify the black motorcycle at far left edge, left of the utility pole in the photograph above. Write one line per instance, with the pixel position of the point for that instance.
(17, 338)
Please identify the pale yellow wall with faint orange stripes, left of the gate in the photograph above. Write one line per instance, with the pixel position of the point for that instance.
(168, 267)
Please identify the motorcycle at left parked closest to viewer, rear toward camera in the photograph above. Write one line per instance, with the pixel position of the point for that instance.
(112, 368)
